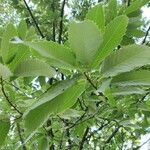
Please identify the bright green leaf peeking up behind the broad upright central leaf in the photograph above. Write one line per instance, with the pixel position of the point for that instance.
(96, 14)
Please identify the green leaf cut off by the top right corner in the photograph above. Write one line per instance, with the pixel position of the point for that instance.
(135, 6)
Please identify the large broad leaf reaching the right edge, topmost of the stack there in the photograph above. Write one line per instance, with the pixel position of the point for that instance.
(126, 59)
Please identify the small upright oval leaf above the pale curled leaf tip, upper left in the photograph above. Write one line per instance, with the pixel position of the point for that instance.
(22, 29)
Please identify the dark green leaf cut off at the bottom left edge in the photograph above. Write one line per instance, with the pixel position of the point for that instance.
(4, 129)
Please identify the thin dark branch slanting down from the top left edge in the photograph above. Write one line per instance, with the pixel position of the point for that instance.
(33, 18)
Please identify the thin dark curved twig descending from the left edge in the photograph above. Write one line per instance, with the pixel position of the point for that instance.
(7, 98)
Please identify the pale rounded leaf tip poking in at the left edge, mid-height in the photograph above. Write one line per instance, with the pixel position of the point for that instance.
(4, 71)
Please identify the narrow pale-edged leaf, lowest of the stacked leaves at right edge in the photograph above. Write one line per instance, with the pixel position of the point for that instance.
(127, 91)
